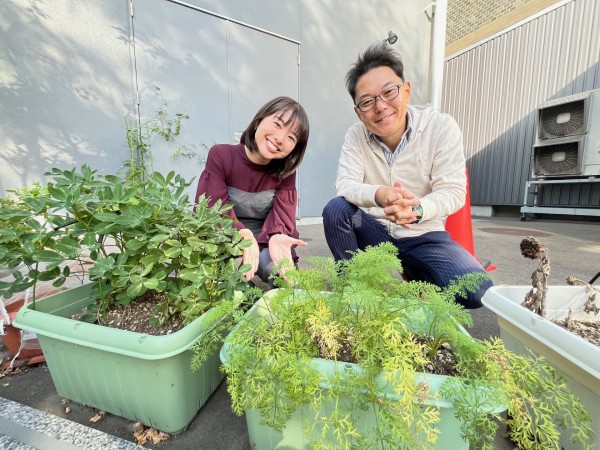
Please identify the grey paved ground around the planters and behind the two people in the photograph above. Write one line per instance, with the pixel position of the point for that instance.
(32, 415)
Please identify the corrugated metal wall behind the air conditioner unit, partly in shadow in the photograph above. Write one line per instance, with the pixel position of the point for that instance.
(494, 88)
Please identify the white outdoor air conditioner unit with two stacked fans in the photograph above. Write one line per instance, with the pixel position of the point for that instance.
(568, 137)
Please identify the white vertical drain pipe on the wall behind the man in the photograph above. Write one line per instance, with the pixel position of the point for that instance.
(439, 12)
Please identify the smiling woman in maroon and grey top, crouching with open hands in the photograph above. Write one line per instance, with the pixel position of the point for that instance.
(258, 176)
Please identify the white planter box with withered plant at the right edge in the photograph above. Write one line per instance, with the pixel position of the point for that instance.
(577, 359)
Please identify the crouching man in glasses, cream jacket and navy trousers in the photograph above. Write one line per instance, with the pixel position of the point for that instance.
(401, 173)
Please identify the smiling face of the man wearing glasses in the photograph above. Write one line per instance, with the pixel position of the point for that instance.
(387, 120)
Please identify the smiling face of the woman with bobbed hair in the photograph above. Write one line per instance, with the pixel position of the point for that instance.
(274, 139)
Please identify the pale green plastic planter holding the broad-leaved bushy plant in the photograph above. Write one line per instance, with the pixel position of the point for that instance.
(137, 376)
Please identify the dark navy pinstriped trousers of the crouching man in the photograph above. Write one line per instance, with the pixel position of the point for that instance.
(433, 257)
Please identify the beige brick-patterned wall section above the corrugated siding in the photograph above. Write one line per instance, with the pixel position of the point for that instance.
(470, 21)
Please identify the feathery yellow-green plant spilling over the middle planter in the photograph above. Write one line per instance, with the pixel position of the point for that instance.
(348, 337)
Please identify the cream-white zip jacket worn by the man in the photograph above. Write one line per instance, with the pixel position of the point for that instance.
(432, 167)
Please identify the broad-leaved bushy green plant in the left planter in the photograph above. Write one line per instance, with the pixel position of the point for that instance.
(130, 236)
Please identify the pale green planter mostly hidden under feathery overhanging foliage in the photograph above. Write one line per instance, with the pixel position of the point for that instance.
(292, 437)
